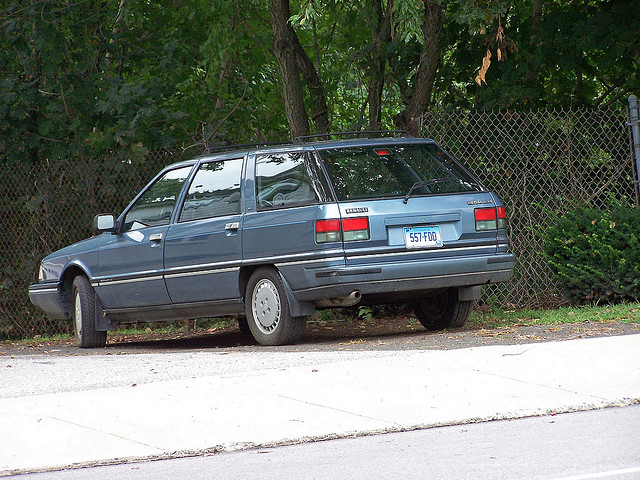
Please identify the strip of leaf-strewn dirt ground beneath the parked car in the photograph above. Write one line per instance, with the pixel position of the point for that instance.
(384, 333)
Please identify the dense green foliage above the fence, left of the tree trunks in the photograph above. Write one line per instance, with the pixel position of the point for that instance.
(88, 78)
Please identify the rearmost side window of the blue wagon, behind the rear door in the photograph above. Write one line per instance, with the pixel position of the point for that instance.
(286, 180)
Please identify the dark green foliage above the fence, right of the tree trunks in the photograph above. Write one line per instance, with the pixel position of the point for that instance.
(579, 54)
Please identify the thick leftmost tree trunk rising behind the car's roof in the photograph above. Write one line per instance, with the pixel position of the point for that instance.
(283, 48)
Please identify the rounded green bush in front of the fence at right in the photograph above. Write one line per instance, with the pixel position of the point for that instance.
(595, 254)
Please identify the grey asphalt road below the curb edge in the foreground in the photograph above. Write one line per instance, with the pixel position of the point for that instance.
(600, 444)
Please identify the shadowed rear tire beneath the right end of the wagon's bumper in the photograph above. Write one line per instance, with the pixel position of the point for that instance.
(443, 311)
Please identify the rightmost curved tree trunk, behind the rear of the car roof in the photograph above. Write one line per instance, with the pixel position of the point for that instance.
(410, 118)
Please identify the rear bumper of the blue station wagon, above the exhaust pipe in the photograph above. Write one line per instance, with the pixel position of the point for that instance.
(400, 278)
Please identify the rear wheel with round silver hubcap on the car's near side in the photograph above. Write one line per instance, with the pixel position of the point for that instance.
(267, 307)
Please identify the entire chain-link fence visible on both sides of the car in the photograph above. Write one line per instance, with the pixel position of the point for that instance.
(538, 162)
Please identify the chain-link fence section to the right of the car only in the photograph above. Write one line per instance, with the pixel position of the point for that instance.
(539, 162)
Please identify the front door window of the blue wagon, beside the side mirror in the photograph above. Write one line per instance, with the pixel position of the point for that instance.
(155, 206)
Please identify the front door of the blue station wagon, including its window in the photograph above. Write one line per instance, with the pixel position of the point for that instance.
(130, 262)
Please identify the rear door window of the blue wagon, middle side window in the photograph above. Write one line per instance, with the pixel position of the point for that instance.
(214, 191)
